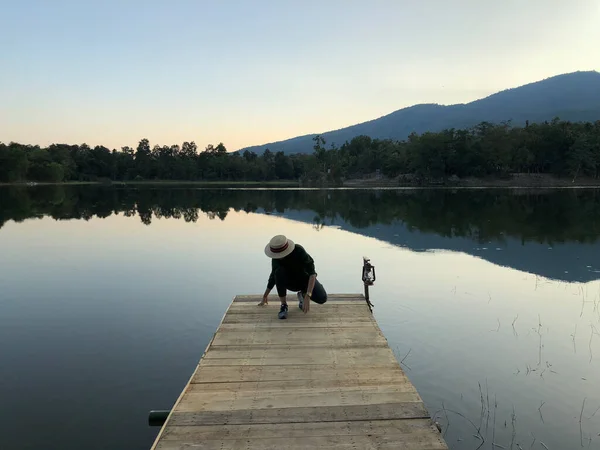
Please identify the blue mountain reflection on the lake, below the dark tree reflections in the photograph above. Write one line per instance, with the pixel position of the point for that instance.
(567, 261)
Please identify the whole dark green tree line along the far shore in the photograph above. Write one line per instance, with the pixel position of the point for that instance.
(560, 148)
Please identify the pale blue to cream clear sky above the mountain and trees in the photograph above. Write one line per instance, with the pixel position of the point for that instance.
(250, 72)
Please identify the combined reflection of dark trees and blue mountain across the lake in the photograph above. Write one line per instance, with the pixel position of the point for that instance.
(523, 224)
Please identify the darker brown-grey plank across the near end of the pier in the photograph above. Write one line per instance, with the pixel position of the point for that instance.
(389, 411)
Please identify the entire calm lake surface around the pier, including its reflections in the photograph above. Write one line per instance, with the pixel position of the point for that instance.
(108, 297)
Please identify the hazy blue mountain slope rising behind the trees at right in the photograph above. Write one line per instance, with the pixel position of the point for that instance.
(574, 96)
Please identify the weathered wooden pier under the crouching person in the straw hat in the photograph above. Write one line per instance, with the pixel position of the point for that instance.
(326, 379)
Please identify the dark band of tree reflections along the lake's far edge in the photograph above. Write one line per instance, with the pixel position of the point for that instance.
(553, 216)
